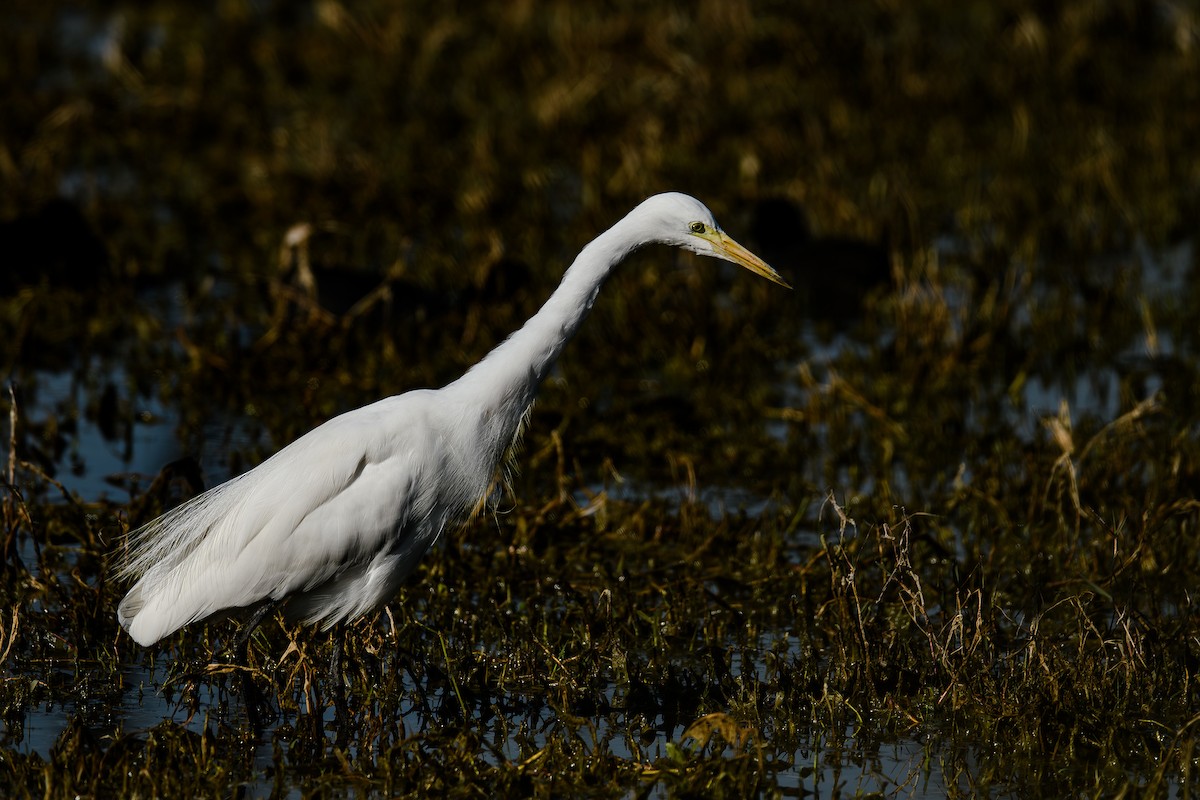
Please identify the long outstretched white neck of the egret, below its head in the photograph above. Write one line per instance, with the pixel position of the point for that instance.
(507, 381)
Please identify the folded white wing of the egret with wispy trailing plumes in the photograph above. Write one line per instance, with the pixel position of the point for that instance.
(329, 500)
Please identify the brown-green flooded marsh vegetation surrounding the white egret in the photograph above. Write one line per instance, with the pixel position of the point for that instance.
(927, 526)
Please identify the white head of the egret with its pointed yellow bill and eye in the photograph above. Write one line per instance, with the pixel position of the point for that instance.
(683, 221)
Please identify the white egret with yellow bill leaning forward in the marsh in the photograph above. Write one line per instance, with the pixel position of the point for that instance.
(331, 526)
